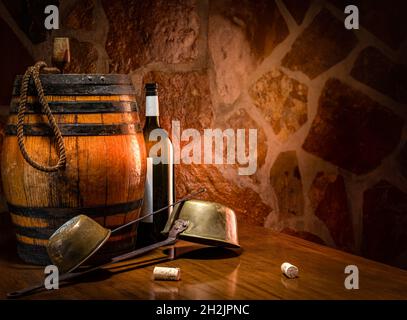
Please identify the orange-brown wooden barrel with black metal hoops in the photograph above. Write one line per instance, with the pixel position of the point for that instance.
(105, 170)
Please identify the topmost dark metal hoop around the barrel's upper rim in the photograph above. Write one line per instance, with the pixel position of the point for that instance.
(80, 84)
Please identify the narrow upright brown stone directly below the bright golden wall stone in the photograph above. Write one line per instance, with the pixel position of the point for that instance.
(285, 178)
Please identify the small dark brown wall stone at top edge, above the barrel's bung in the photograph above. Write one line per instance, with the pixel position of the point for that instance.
(81, 15)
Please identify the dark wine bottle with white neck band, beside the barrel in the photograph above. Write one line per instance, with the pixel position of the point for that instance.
(159, 188)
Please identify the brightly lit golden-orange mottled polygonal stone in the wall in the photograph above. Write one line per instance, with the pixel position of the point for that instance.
(282, 100)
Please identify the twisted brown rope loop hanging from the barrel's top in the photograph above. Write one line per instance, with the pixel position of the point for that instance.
(34, 71)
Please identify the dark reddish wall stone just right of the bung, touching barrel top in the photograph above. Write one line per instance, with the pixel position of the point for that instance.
(84, 57)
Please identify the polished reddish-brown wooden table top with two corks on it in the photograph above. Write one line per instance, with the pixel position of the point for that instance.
(213, 273)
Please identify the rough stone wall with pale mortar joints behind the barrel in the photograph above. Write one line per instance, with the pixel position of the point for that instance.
(329, 104)
